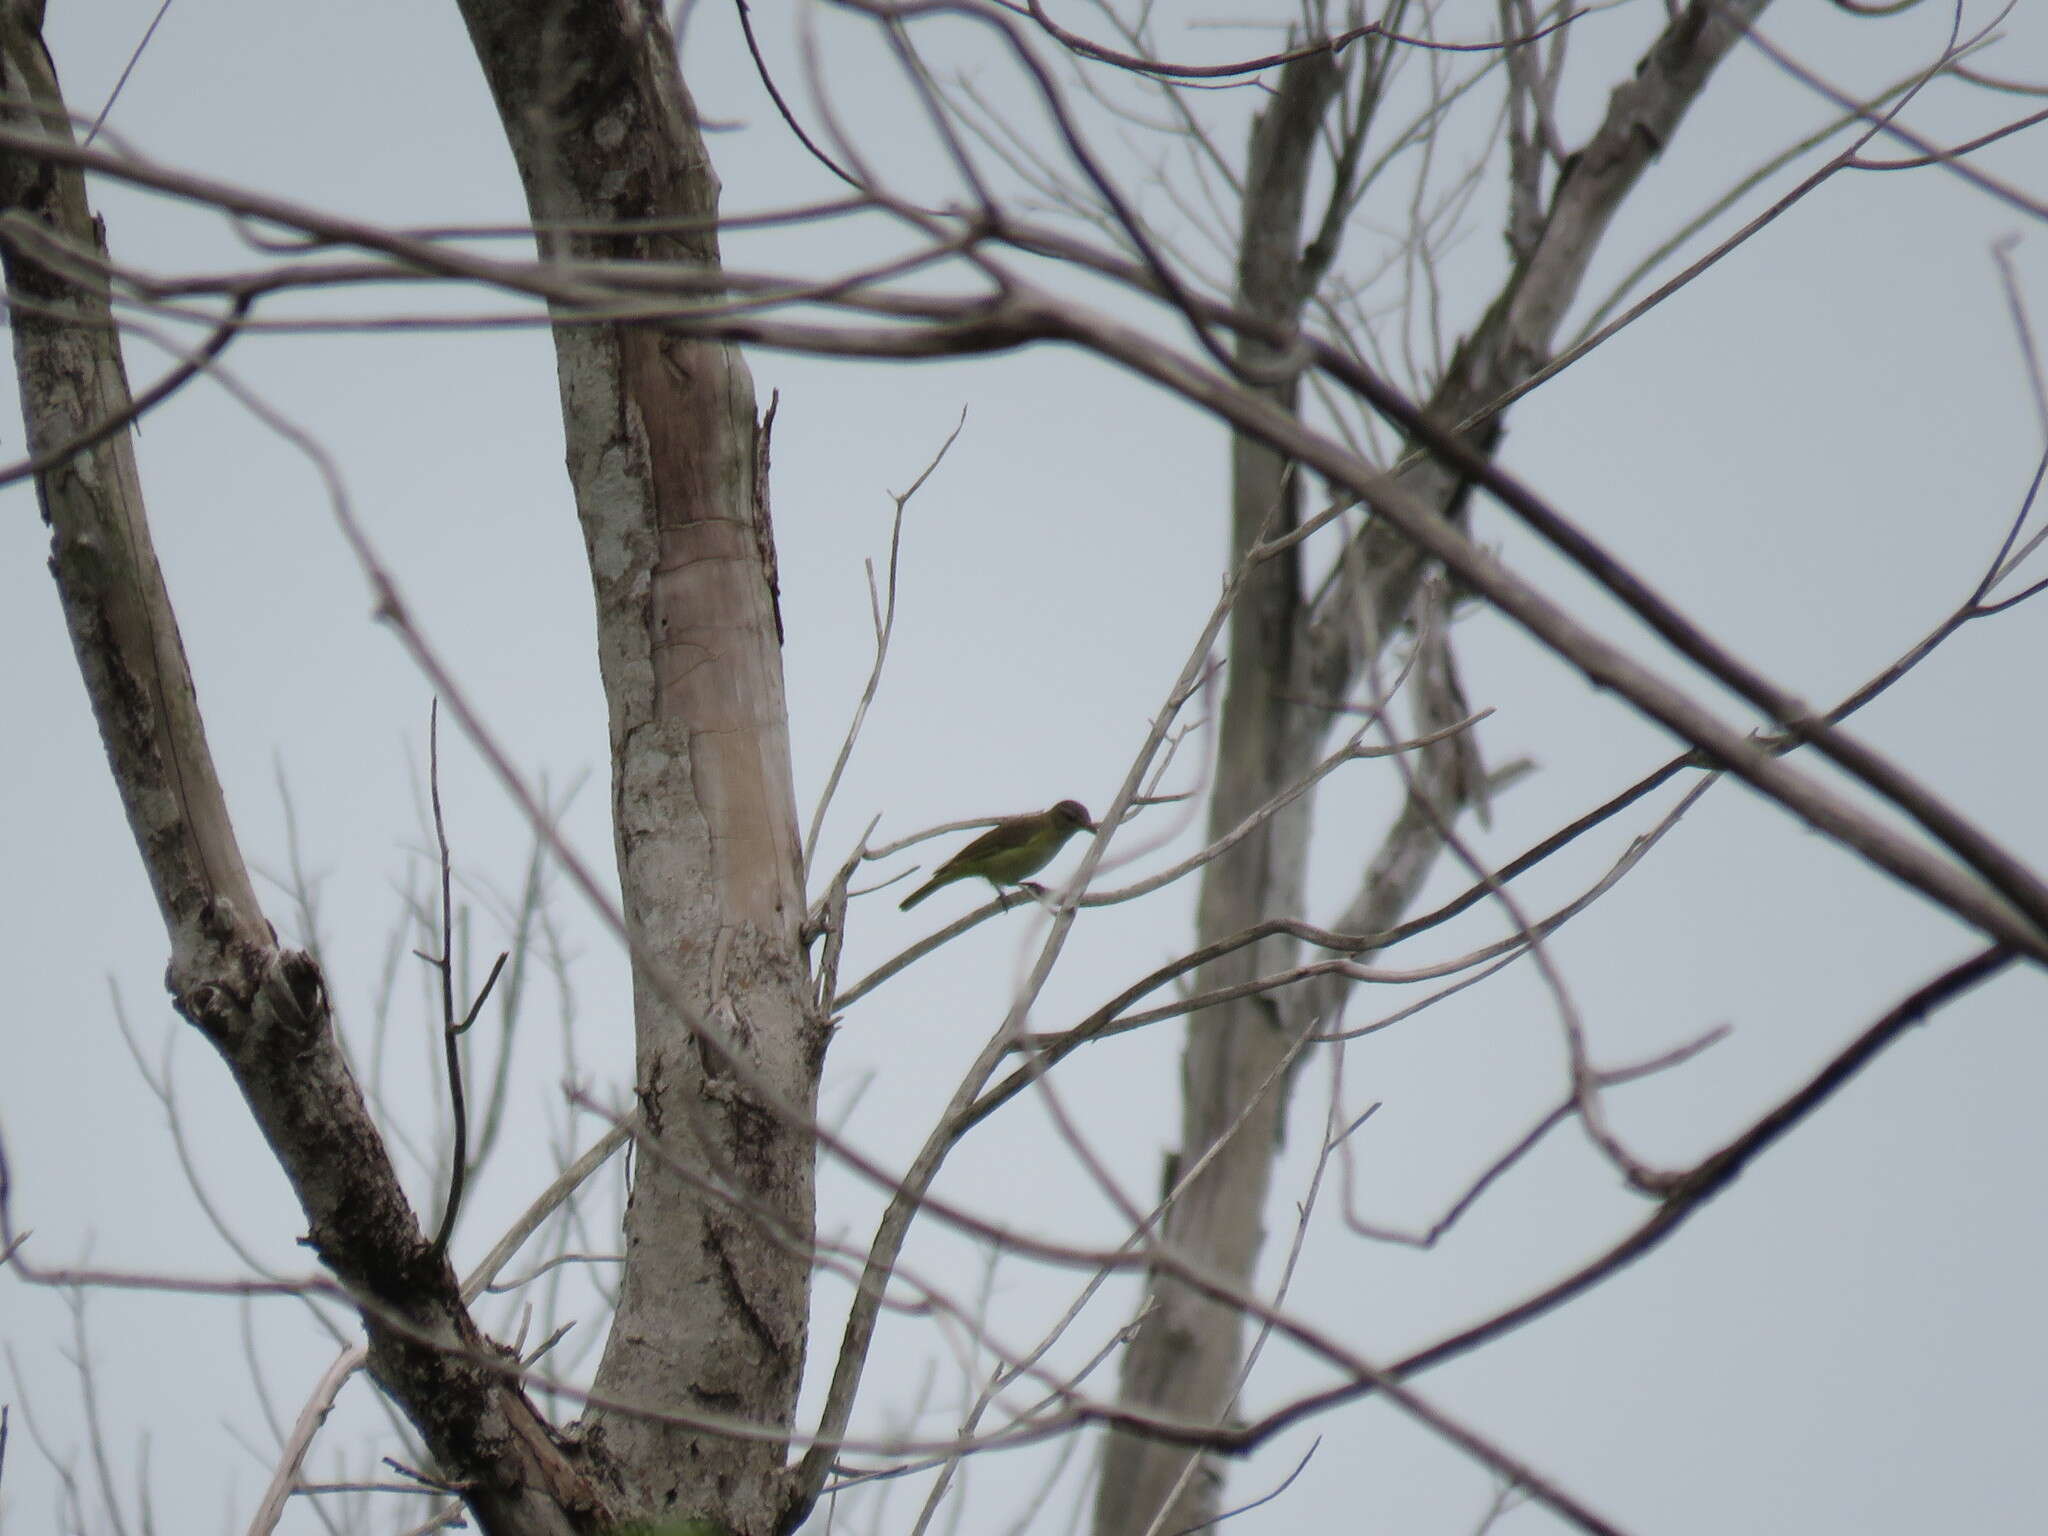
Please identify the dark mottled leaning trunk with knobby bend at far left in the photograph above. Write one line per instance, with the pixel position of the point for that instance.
(263, 1007)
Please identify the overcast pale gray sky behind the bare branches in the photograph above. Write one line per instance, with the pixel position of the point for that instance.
(1814, 452)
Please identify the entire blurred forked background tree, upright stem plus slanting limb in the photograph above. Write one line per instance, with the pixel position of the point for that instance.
(1187, 1355)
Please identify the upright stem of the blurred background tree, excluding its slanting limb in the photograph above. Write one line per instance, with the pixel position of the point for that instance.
(1187, 1351)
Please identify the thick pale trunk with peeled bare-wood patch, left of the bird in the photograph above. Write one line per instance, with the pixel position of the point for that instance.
(663, 452)
